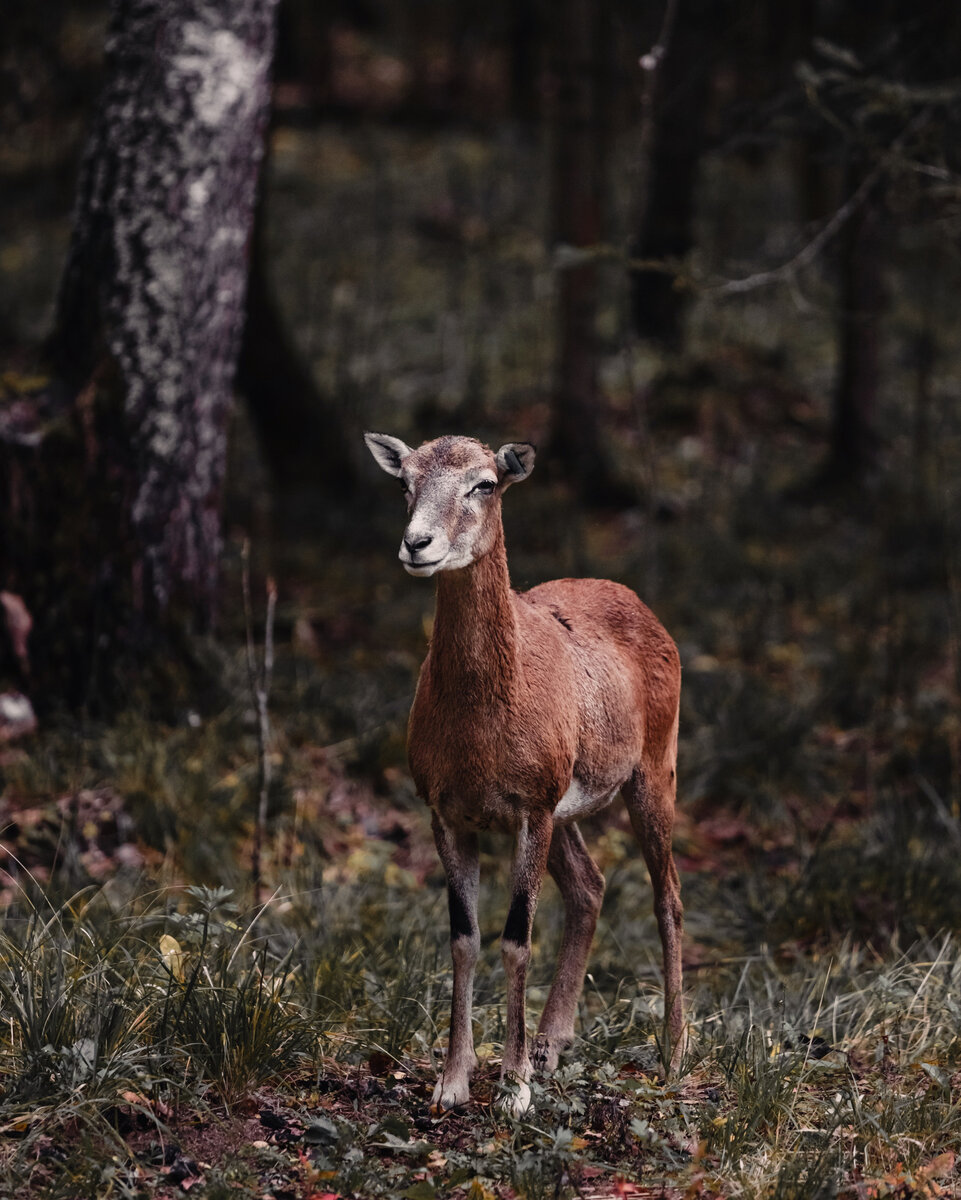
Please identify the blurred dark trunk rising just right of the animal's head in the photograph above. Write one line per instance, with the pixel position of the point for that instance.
(582, 71)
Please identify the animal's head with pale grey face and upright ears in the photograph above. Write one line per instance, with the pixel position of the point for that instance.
(453, 489)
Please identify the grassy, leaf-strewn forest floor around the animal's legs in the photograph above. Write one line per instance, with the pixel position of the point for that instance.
(159, 1041)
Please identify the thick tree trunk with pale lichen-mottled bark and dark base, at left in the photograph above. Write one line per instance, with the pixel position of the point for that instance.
(119, 499)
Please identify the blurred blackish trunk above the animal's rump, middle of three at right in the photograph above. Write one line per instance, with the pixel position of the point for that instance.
(666, 207)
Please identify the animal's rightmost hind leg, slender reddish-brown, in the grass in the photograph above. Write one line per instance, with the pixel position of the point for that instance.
(651, 795)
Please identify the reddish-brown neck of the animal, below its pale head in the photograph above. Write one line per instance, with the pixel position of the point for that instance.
(476, 629)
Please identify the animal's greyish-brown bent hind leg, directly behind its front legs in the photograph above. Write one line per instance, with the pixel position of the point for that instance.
(581, 886)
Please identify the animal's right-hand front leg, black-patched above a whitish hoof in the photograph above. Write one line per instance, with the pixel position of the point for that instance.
(530, 863)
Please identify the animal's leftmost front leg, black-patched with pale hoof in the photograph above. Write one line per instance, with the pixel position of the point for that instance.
(459, 854)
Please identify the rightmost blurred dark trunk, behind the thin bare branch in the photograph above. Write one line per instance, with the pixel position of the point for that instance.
(863, 298)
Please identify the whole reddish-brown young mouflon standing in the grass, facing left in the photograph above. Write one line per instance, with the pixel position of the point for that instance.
(533, 710)
